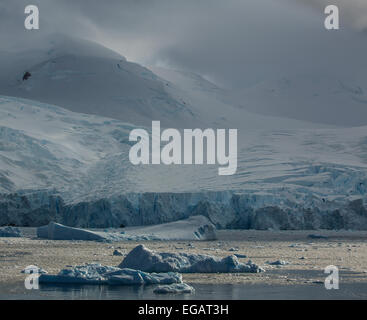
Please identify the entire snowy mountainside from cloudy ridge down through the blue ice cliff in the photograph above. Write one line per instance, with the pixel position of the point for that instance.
(64, 153)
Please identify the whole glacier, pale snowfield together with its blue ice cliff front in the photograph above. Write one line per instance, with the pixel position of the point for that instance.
(71, 168)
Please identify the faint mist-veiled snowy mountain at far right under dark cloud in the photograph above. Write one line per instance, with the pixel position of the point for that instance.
(321, 98)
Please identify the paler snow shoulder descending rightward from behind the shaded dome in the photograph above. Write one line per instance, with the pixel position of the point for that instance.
(217, 107)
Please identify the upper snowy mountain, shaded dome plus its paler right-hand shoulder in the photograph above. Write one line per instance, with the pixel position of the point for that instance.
(85, 77)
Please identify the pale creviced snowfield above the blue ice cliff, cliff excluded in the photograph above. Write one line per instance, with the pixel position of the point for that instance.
(83, 156)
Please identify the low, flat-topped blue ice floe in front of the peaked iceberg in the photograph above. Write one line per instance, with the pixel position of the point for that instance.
(99, 274)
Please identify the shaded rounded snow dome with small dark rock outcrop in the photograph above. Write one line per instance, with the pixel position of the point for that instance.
(86, 77)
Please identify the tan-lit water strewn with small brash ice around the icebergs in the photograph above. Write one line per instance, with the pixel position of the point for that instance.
(307, 256)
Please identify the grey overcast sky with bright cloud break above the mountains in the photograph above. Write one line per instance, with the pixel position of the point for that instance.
(235, 42)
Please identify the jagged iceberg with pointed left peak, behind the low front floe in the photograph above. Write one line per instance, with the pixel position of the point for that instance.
(150, 261)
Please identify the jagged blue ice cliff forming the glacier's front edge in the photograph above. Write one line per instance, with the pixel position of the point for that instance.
(223, 209)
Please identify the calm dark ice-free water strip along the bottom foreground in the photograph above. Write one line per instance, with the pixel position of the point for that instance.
(203, 291)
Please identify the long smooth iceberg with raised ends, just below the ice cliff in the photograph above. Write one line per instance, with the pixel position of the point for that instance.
(193, 228)
